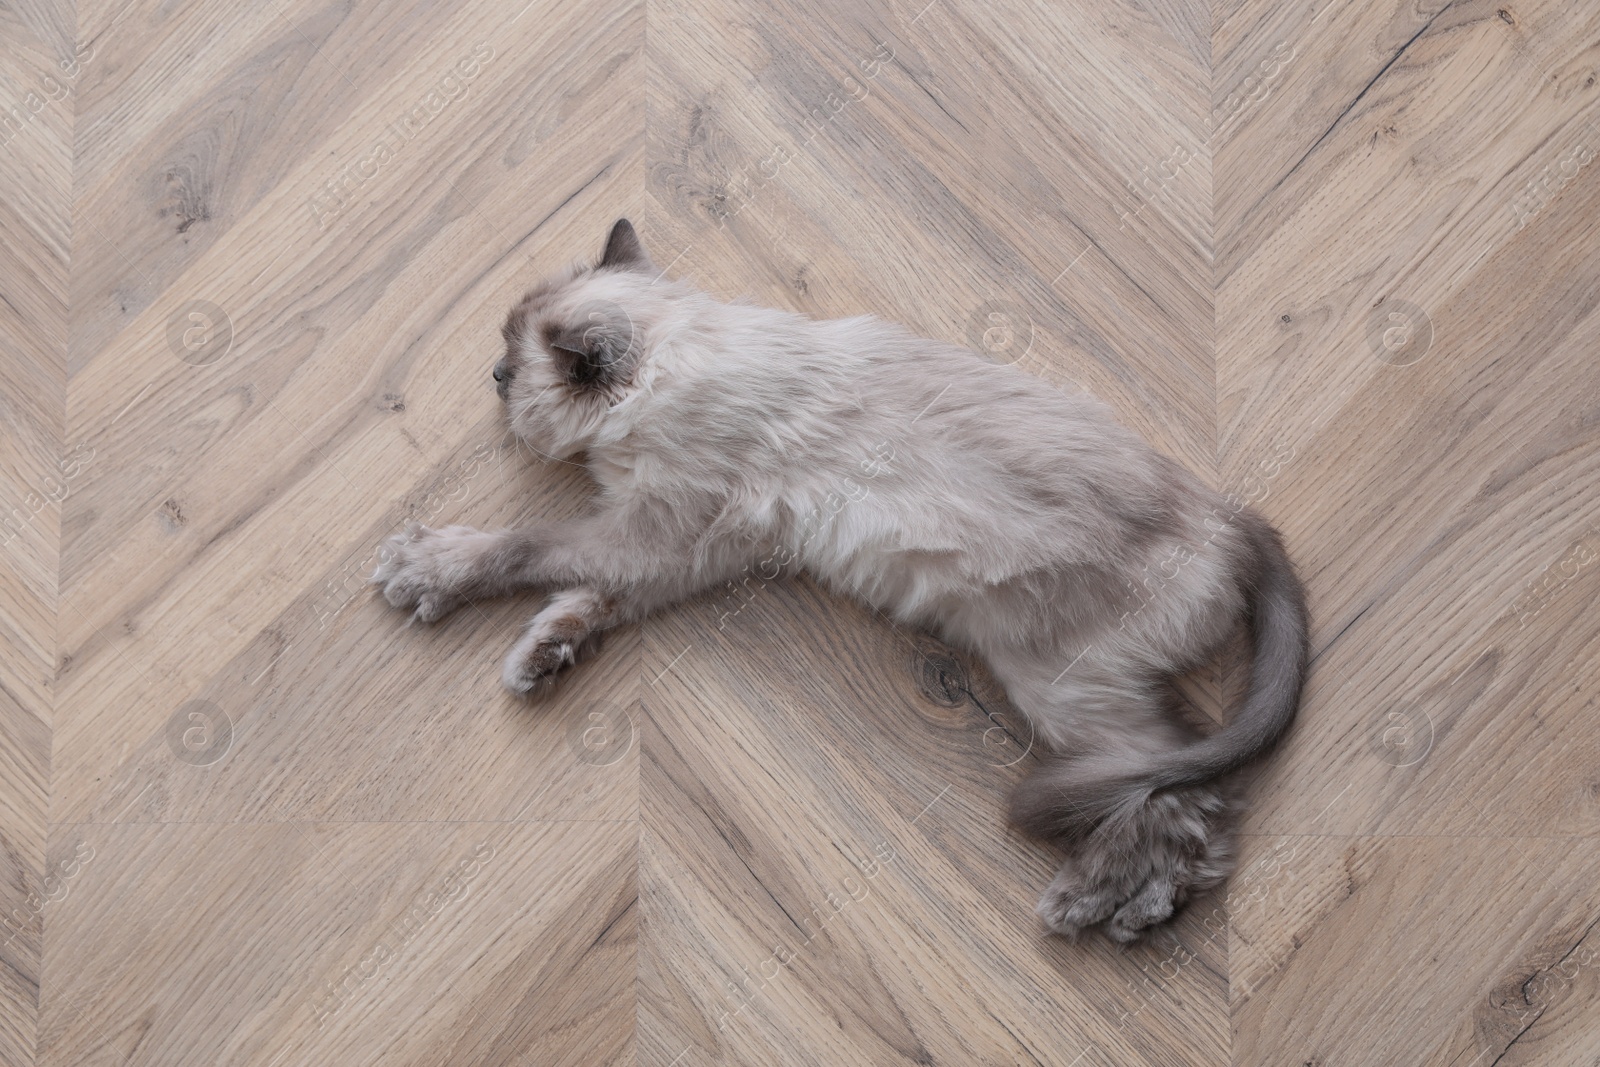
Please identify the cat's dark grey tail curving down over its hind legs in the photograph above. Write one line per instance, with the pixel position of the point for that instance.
(1071, 797)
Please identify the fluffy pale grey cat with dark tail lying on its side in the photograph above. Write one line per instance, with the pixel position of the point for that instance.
(1015, 521)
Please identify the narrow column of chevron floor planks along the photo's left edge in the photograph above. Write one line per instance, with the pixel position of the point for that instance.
(38, 79)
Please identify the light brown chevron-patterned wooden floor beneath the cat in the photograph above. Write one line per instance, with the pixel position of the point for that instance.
(1340, 257)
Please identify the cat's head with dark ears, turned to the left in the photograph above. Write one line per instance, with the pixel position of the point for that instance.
(575, 346)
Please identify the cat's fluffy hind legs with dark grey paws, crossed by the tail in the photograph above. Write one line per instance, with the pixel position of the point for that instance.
(1135, 869)
